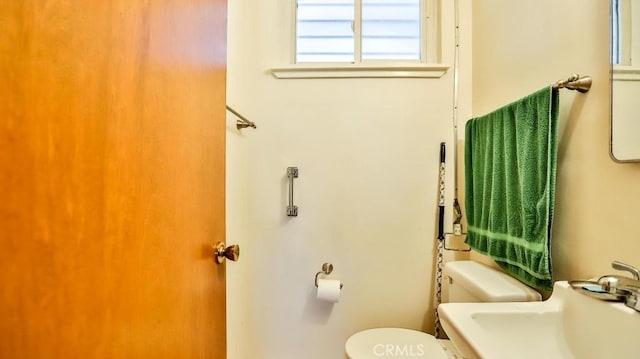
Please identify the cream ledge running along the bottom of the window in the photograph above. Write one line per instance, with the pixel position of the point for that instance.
(308, 71)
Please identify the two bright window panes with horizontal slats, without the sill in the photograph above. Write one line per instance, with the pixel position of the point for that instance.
(356, 31)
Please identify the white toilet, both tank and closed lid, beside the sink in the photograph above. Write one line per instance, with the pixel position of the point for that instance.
(463, 281)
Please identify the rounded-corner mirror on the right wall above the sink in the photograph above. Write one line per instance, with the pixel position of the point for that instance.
(625, 80)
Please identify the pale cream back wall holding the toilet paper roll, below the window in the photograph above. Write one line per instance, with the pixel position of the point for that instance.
(367, 151)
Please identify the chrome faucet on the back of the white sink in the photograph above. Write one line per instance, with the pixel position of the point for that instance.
(629, 288)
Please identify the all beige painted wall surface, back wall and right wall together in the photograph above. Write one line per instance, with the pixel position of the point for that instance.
(367, 153)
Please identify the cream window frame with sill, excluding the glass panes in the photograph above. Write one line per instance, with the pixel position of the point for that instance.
(428, 66)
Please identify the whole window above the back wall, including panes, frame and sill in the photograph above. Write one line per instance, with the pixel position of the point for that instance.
(365, 39)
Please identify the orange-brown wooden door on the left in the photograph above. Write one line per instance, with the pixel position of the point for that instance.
(112, 178)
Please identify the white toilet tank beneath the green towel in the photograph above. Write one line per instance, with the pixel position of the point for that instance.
(469, 281)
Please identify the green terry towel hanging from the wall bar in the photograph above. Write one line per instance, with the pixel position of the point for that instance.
(510, 170)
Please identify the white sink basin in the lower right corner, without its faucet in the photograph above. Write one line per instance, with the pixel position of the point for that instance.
(567, 325)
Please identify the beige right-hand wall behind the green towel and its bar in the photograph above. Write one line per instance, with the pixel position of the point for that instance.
(519, 47)
